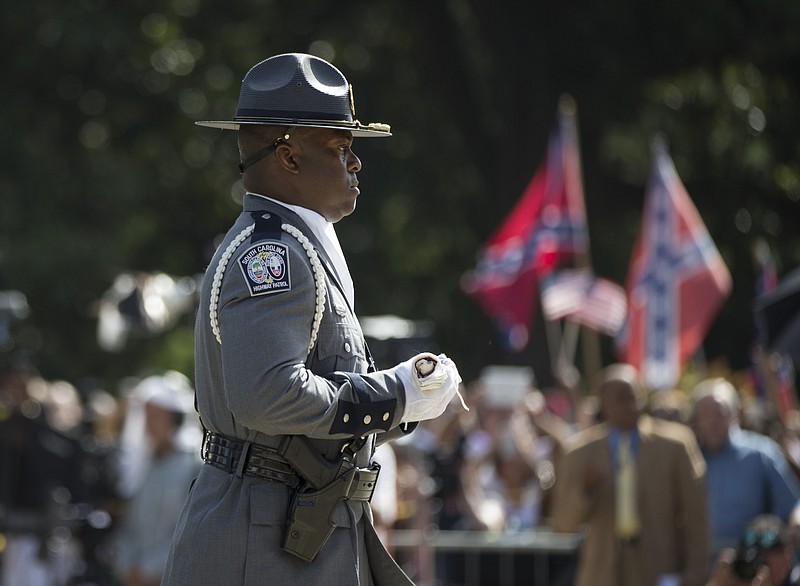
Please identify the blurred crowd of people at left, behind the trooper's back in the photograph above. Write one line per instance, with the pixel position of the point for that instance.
(91, 484)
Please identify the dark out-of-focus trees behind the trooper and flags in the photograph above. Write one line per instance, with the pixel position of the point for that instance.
(111, 198)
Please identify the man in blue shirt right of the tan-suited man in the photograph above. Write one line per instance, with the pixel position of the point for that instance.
(747, 474)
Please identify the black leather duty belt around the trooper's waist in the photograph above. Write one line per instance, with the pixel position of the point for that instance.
(225, 453)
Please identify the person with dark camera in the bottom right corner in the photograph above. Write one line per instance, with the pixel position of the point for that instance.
(765, 557)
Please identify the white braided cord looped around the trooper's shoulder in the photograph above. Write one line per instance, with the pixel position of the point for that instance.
(316, 267)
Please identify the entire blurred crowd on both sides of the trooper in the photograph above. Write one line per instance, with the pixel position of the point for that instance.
(92, 485)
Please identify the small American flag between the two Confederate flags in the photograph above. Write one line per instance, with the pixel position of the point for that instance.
(579, 295)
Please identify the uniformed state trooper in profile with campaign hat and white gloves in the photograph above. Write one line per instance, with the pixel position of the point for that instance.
(287, 392)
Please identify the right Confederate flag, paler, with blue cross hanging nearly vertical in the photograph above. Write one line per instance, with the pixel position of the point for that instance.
(677, 280)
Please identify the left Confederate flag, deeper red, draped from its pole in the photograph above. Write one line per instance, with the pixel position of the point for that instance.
(546, 227)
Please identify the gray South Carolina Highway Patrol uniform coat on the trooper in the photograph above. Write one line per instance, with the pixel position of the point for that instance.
(258, 382)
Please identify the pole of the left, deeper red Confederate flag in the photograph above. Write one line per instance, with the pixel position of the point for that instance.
(590, 343)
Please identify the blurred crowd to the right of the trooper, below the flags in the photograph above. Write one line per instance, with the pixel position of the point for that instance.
(705, 470)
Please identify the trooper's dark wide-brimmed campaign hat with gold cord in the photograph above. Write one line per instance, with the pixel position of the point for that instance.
(295, 89)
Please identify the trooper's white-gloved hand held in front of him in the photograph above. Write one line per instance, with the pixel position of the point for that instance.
(430, 382)
